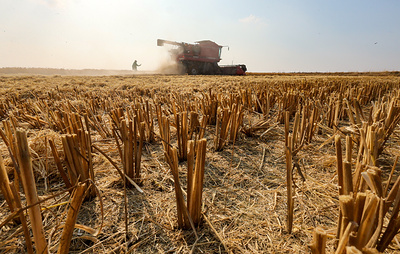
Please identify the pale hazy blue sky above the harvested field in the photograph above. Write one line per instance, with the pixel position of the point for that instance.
(267, 36)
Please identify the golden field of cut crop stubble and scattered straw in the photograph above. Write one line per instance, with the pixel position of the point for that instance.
(267, 163)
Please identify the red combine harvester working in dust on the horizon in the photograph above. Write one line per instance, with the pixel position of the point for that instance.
(202, 58)
